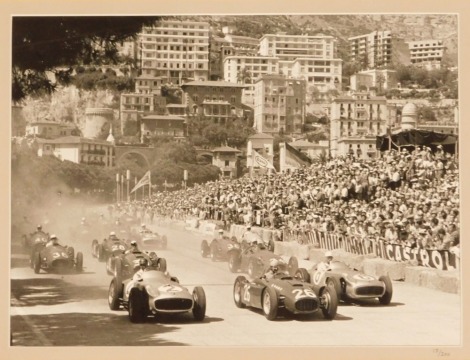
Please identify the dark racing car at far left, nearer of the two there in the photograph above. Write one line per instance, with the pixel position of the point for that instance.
(56, 258)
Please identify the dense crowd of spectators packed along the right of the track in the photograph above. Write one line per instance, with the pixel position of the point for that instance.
(408, 197)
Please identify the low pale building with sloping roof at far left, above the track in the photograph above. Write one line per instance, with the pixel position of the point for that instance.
(79, 150)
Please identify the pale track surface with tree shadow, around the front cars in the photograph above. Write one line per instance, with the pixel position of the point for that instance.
(54, 310)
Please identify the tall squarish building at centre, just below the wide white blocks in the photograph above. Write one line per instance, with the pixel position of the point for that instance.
(279, 104)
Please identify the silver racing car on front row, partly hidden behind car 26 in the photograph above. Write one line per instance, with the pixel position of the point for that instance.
(350, 284)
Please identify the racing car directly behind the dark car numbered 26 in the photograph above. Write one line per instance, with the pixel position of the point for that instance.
(254, 260)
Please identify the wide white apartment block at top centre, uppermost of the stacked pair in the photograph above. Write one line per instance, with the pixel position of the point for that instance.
(291, 47)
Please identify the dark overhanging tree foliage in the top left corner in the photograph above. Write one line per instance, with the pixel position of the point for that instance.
(55, 44)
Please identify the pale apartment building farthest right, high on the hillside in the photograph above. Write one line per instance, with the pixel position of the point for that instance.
(426, 53)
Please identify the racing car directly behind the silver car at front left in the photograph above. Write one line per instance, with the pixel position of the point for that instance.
(124, 265)
